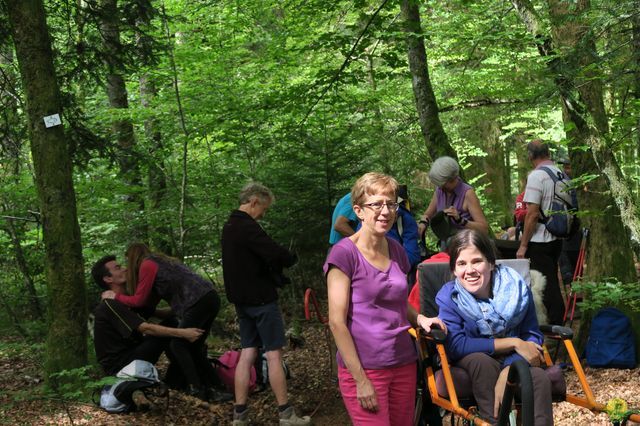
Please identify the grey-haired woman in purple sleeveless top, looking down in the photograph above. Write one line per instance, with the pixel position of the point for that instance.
(455, 198)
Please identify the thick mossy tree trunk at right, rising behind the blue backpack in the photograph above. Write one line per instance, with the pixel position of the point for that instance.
(609, 240)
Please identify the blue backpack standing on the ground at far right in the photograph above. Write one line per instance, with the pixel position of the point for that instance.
(611, 343)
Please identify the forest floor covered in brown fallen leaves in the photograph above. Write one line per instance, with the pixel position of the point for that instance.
(312, 388)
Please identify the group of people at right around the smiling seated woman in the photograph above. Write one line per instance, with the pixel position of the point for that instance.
(487, 311)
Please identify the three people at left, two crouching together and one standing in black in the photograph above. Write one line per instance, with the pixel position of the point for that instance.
(252, 269)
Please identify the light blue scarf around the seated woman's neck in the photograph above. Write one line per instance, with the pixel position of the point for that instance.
(500, 315)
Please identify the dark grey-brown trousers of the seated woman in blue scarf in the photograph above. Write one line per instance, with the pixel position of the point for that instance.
(484, 371)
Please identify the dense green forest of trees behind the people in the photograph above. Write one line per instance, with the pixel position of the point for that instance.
(141, 120)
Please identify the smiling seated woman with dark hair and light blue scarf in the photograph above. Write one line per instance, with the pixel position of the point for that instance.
(491, 322)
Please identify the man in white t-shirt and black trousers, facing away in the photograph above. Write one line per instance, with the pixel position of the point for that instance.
(537, 243)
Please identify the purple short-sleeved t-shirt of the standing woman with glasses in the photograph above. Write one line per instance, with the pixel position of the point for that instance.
(377, 315)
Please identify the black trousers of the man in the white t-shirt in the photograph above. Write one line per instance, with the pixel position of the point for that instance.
(544, 258)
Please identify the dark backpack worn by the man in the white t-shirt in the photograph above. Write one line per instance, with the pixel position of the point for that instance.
(561, 220)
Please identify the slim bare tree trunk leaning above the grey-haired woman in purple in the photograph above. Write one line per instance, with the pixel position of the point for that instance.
(435, 137)
